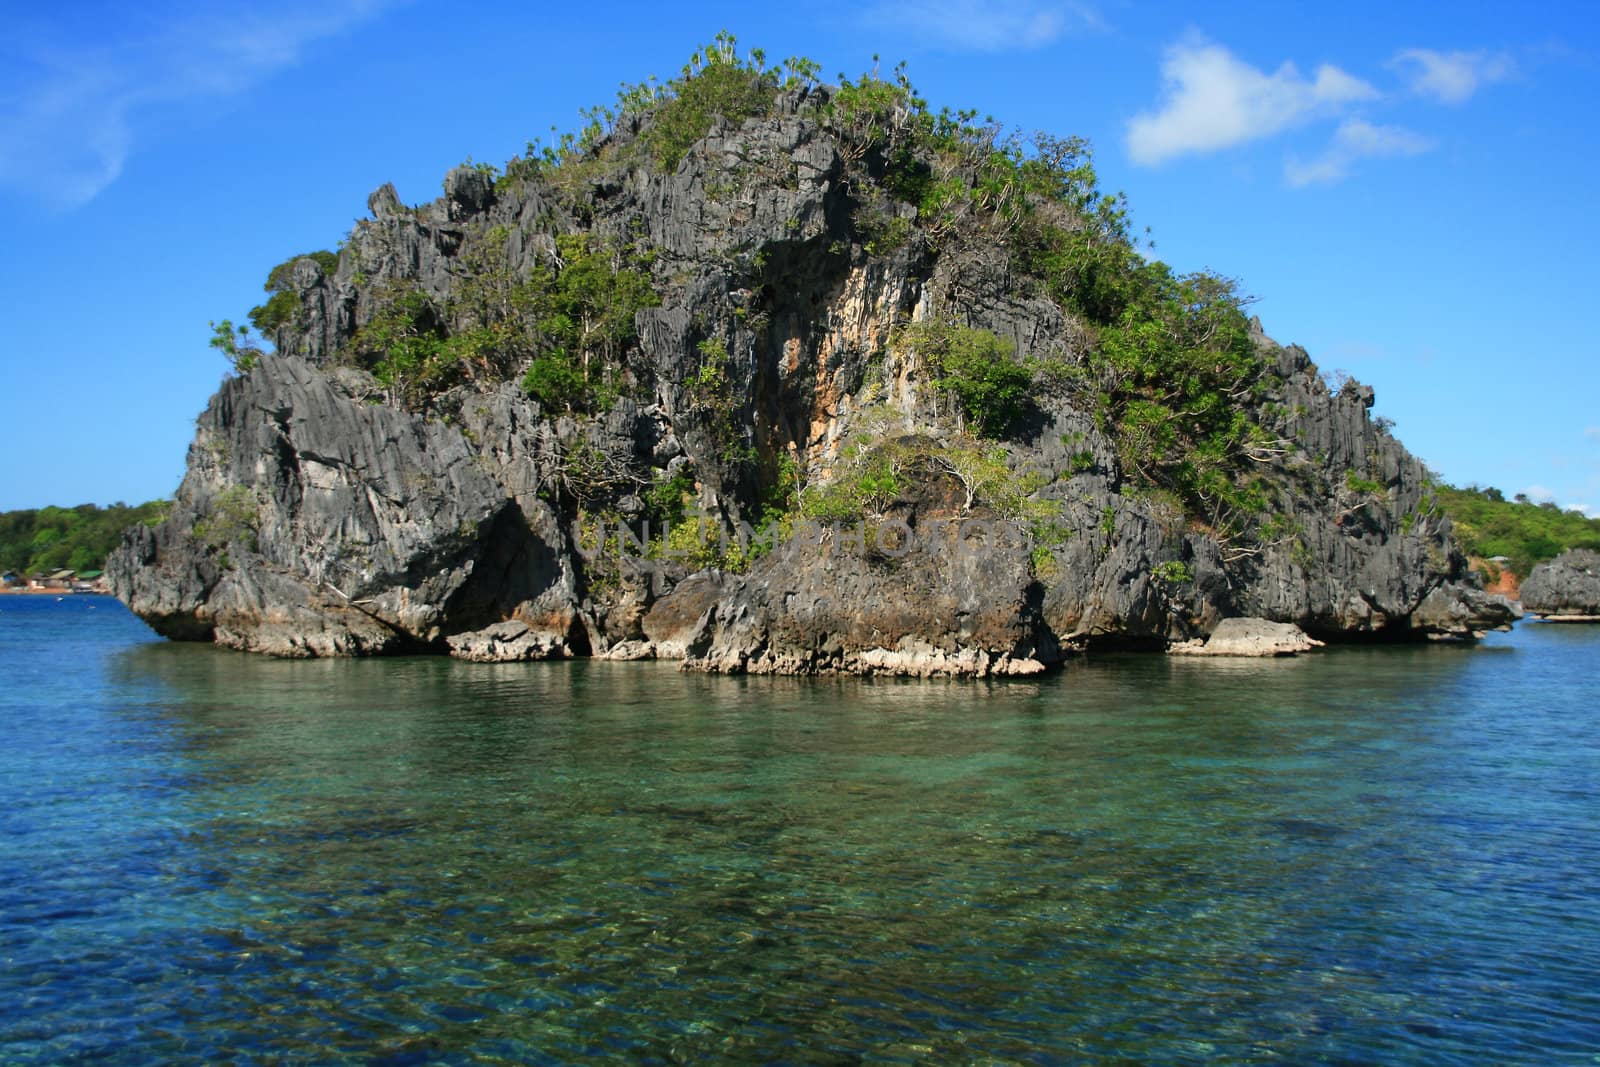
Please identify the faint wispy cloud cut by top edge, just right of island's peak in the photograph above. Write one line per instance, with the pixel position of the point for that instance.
(983, 25)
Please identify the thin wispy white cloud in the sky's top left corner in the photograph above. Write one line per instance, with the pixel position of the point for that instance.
(76, 113)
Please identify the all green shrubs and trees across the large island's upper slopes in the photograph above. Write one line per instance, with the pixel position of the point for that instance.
(1166, 364)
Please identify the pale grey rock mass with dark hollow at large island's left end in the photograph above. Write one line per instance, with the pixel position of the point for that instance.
(313, 524)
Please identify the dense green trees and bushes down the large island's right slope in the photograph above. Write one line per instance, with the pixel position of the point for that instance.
(1169, 364)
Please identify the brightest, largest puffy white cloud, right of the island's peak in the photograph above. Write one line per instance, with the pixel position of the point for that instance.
(1214, 102)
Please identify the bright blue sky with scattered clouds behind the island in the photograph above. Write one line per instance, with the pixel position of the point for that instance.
(1407, 194)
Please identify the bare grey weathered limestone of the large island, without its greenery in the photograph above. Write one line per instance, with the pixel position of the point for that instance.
(321, 516)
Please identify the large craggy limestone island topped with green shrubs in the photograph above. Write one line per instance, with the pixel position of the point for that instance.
(769, 375)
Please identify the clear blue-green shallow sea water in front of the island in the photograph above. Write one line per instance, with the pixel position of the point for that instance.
(1372, 855)
